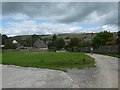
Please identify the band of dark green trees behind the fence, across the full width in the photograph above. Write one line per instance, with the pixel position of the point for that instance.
(55, 43)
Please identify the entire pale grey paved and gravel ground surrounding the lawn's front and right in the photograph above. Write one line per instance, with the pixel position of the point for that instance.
(104, 75)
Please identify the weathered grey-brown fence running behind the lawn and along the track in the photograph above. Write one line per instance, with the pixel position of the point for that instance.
(101, 49)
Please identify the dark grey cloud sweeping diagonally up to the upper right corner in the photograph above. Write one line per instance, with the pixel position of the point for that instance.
(87, 8)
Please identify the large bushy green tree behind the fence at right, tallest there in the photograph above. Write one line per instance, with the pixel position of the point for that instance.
(101, 38)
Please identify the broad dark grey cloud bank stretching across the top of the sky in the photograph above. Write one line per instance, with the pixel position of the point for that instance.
(63, 12)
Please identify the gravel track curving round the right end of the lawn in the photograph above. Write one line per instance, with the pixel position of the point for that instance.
(105, 75)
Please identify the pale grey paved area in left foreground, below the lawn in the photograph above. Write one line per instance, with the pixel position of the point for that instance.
(21, 77)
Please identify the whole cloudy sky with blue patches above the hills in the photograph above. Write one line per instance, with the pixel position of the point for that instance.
(23, 18)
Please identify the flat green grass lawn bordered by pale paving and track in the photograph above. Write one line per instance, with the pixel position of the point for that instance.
(51, 60)
